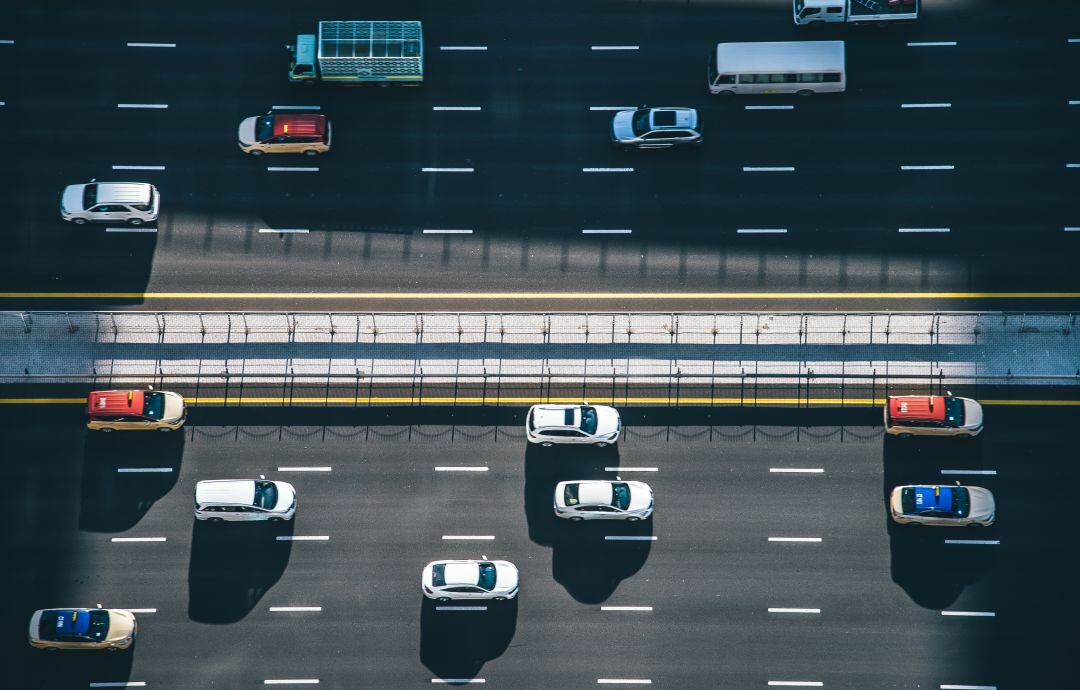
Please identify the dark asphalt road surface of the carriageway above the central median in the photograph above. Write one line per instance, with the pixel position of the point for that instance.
(949, 169)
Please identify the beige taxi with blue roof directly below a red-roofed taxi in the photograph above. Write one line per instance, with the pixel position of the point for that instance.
(949, 506)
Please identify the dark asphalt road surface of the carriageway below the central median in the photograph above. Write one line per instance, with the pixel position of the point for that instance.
(711, 575)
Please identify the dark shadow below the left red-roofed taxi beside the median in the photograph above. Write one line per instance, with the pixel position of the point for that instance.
(114, 500)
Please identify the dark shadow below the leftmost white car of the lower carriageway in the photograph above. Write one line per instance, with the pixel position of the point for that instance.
(233, 566)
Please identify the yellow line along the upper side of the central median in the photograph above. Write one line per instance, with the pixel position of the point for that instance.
(535, 296)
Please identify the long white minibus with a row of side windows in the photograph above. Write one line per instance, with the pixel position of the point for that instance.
(799, 67)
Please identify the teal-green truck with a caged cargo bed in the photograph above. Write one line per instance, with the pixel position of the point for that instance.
(359, 53)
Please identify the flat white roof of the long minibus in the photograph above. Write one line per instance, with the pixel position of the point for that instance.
(790, 57)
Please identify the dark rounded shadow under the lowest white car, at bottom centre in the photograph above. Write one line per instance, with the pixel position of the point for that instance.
(456, 645)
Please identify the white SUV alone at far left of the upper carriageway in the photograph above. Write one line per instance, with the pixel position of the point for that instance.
(111, 202)
